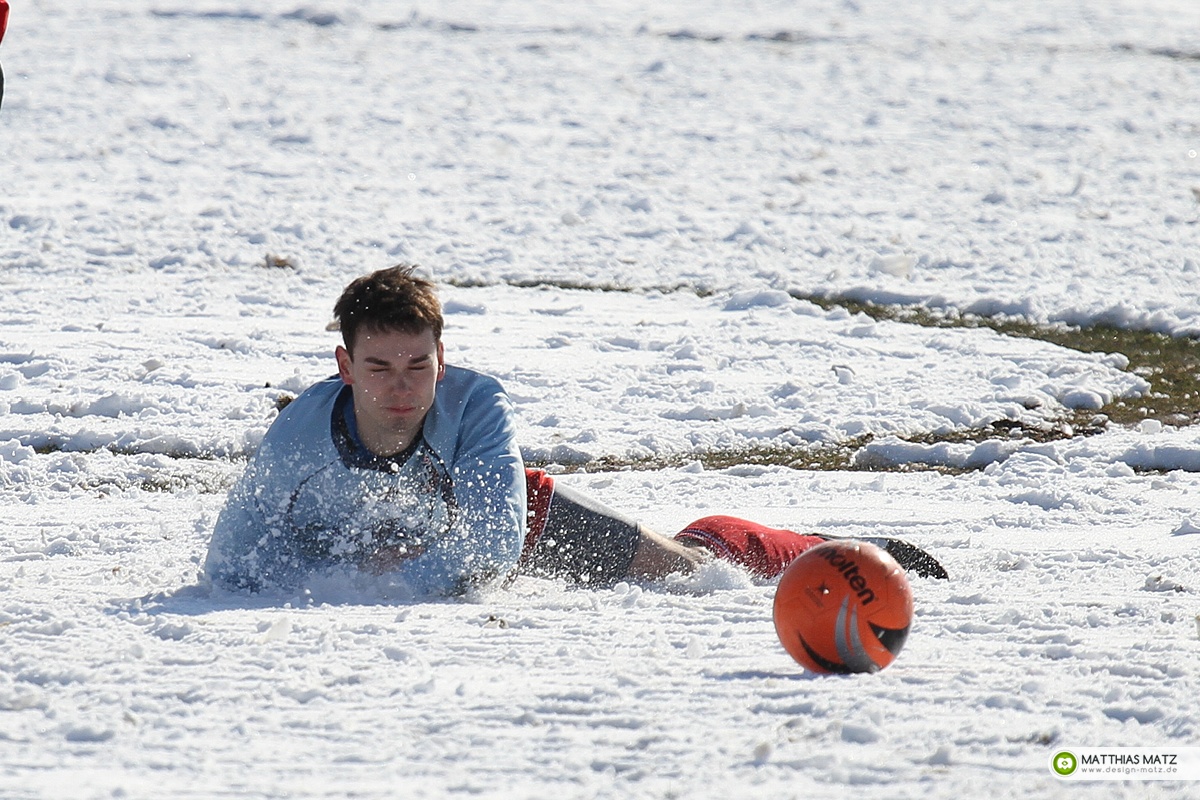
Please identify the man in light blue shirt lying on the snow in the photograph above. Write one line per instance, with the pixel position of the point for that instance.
(407, 466)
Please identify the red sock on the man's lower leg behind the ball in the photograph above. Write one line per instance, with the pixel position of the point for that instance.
(766, 552)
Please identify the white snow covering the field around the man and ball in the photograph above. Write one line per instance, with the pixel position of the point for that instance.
(706, 164)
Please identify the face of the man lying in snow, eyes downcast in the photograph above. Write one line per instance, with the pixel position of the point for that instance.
(394, 377)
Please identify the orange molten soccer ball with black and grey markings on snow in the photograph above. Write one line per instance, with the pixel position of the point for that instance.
(844, 607)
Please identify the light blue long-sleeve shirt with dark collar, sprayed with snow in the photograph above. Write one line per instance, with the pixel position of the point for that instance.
(314, 498)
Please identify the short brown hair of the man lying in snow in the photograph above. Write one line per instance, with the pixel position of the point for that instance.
(389, 300)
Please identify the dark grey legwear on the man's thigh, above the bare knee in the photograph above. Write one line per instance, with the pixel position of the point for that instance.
(585, 542)
